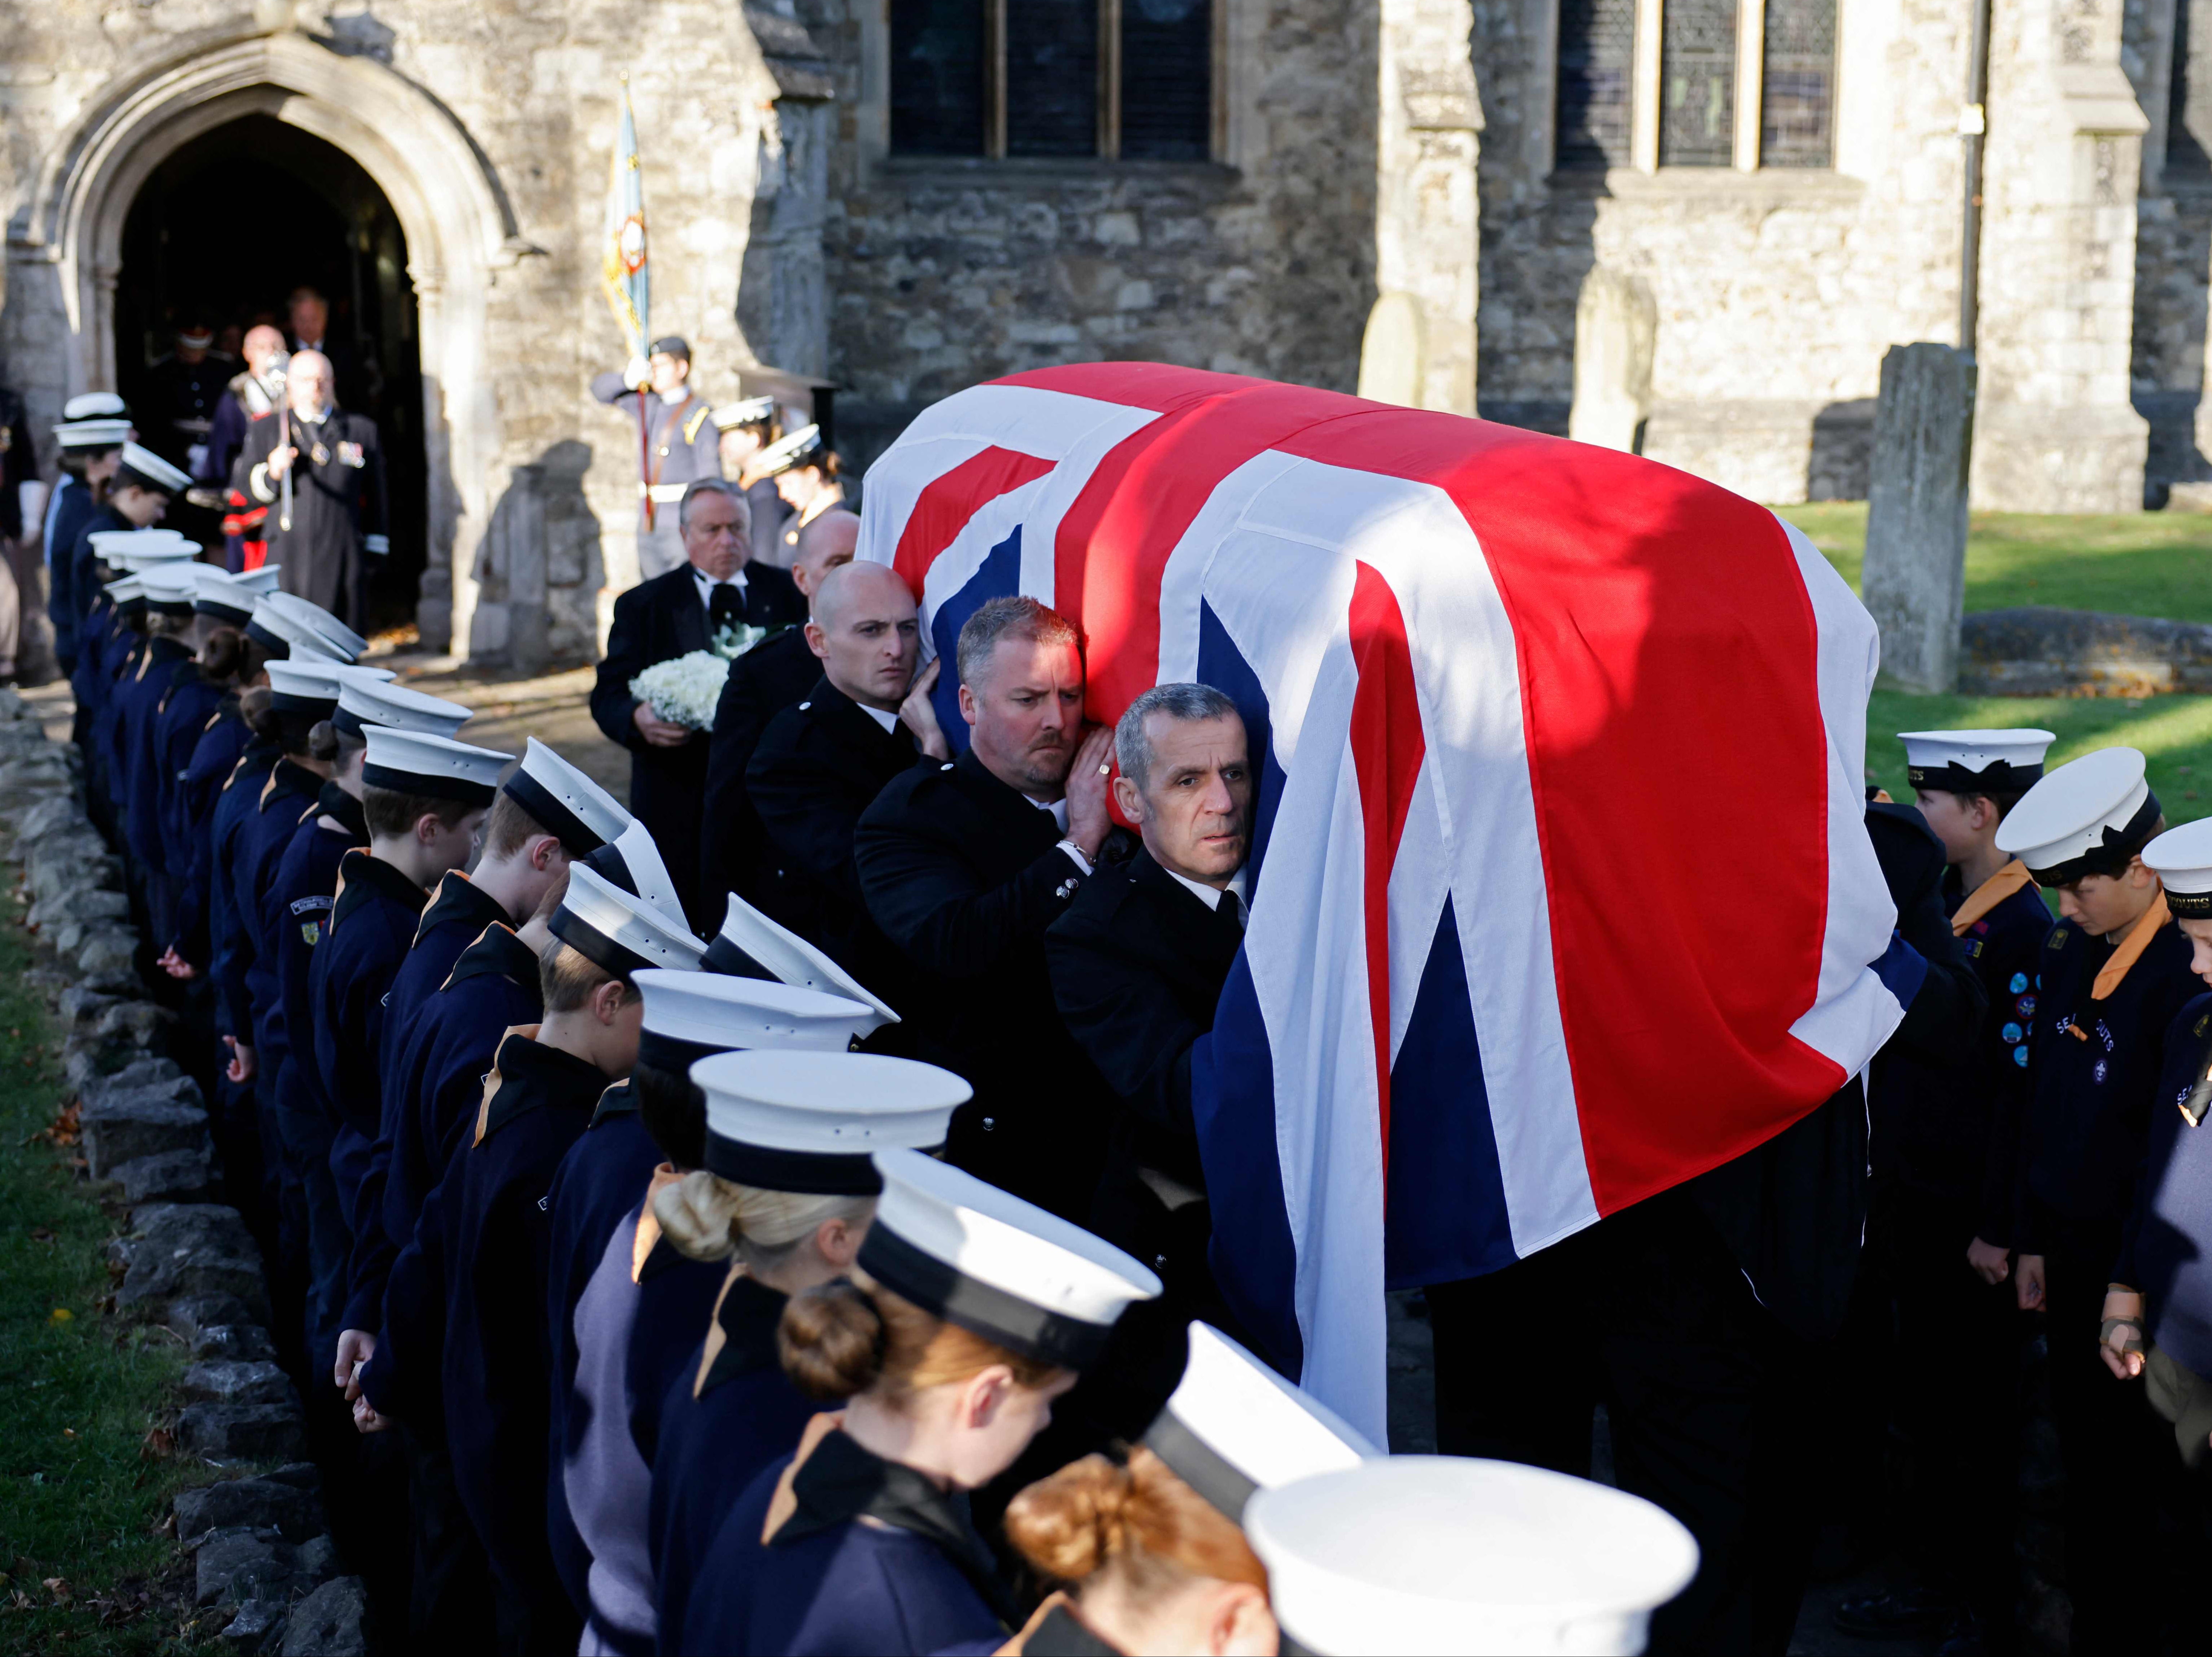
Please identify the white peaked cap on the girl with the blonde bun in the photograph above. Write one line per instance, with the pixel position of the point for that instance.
(813, 1123)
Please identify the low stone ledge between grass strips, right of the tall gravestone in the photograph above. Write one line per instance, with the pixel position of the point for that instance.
(2036, 652)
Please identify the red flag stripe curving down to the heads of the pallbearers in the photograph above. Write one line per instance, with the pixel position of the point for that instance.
(1118, 534)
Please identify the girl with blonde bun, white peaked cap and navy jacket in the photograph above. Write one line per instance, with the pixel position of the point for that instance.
(786, 1194)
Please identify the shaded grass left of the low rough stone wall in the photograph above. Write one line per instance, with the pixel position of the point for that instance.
(79, 1390)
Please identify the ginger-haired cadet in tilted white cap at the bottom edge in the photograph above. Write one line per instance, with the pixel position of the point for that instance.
(1149, 1550)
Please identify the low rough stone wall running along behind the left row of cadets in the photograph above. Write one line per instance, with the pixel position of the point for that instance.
(262, 1541)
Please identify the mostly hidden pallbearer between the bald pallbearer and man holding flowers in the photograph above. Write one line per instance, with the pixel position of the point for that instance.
(764, 682)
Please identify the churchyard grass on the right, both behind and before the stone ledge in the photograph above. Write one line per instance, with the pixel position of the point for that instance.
(2129, 565)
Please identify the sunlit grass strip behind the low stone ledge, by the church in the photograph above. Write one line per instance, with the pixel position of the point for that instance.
(2149, 563)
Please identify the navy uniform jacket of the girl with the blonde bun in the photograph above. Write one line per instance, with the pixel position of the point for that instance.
(729, 1413)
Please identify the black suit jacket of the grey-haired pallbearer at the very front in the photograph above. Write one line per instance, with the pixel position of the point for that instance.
(1138, 968)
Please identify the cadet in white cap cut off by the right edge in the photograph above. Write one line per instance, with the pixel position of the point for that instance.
(2158, 1313)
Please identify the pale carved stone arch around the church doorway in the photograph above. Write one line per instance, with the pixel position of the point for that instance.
(450, 211)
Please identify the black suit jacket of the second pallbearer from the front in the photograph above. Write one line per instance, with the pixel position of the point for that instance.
(966, 875)
